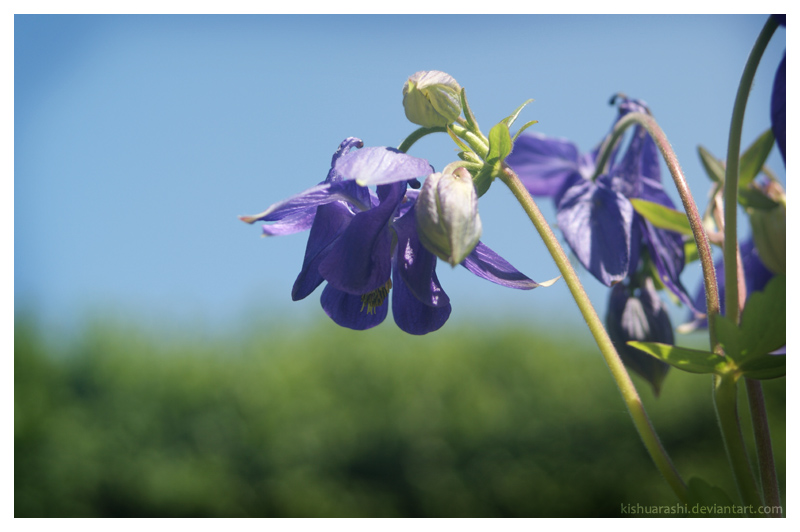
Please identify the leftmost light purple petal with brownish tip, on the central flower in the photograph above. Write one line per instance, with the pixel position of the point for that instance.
(307, 201)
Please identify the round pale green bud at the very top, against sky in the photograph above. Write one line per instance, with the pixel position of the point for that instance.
(432, 98)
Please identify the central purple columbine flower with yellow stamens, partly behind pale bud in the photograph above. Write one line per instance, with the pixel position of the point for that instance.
(365, 244)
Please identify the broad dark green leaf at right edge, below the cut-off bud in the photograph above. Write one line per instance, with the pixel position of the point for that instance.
(763, 328)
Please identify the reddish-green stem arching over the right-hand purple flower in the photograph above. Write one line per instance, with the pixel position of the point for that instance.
(695, 221)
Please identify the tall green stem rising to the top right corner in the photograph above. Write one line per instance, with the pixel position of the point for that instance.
(732, 169)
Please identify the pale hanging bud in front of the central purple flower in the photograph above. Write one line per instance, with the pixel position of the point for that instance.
(447, 215)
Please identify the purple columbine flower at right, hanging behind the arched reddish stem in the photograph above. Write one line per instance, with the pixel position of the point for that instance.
(596, 217)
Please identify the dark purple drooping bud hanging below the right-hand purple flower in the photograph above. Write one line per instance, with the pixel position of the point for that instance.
(636, 313)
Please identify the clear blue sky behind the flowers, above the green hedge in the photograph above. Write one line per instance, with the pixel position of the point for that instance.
(139, 139)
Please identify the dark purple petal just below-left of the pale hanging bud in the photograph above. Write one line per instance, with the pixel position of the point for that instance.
(416, 265)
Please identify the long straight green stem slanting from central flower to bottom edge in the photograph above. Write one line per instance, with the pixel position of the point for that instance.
(620, 375)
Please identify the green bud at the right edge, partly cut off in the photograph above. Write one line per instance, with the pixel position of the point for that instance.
(769, 230)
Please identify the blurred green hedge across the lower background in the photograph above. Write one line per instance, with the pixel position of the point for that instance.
(322, 421)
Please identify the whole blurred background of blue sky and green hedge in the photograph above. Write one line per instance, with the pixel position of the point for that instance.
(161, 367)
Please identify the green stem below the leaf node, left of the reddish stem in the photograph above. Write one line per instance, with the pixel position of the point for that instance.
(728, 418)
